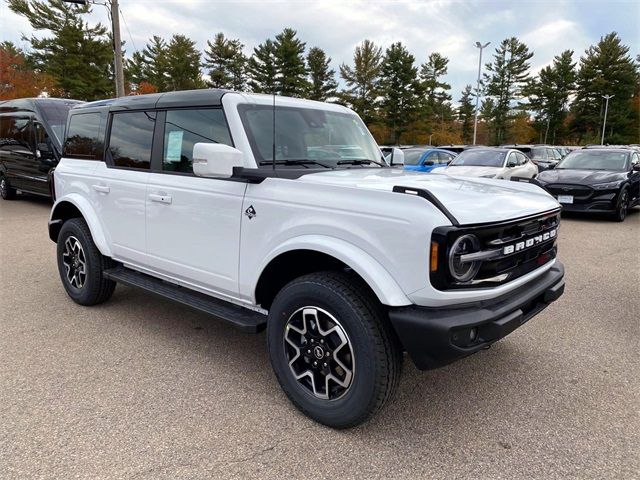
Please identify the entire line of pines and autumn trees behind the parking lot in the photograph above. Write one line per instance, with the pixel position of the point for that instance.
(402, 102)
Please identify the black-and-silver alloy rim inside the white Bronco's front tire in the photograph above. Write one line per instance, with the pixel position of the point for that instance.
(319, 353)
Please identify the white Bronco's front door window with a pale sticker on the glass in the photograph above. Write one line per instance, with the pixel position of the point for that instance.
(185, 128)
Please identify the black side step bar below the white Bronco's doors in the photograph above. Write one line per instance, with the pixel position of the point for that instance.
(243, 318)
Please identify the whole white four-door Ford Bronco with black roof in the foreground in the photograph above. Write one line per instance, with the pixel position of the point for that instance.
(281, 214)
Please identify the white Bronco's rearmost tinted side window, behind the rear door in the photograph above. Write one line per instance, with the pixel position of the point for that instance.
(85, 139)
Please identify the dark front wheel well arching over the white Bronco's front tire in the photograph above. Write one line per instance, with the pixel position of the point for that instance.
(290, 265)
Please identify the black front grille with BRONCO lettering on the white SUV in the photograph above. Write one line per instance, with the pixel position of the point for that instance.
(507, 249)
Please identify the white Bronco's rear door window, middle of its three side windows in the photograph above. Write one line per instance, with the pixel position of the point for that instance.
(131, 139)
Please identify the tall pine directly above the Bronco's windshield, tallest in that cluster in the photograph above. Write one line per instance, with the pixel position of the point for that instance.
(290, 64)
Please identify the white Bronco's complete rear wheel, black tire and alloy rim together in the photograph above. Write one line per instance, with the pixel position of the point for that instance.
(81, 265)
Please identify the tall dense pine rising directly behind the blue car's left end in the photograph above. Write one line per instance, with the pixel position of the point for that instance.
(399, 87)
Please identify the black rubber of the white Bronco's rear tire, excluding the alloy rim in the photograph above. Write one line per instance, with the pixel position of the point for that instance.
(95, 288)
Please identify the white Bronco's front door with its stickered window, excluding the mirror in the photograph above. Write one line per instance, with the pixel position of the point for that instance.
(193, 223)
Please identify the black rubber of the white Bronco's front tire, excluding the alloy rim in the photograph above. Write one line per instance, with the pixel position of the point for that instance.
(377, 353)
